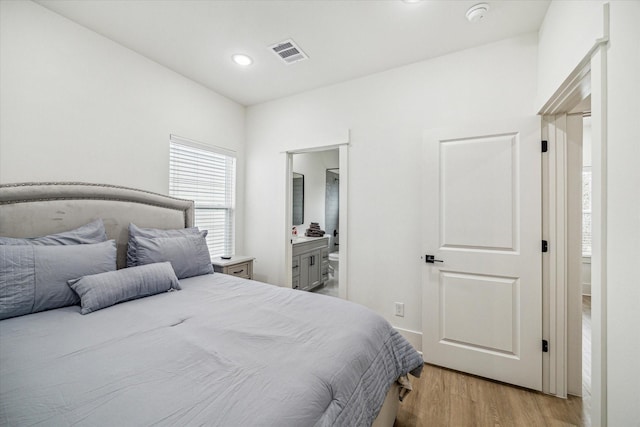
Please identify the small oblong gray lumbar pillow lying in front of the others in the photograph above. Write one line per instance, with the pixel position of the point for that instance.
(103, 290)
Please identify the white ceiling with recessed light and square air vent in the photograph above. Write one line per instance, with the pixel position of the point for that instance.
(344, 39)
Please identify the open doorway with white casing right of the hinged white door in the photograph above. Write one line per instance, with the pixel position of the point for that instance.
(583, 91)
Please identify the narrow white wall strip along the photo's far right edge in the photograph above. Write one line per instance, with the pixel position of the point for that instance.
(623, 210)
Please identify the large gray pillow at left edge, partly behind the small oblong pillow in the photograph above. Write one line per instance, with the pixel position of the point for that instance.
(34, 278)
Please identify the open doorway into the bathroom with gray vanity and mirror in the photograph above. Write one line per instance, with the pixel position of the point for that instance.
(325, 171)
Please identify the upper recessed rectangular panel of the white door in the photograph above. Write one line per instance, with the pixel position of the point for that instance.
(474, 171)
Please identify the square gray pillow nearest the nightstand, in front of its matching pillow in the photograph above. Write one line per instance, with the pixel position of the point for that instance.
(188, 255)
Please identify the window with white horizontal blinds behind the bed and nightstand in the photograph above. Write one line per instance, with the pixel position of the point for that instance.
(206, 175)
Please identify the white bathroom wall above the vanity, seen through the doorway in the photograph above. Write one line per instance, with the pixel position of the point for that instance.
(314, 166)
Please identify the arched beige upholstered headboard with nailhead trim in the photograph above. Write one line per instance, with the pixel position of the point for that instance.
(36, 209)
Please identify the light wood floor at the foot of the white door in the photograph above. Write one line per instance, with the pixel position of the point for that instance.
(442, 397)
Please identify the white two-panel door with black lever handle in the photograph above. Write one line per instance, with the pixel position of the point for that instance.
(482, 305)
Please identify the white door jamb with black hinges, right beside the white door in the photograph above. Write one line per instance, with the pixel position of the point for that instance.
(561, 227)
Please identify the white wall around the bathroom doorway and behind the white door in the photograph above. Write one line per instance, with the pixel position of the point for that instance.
(387, 114)
